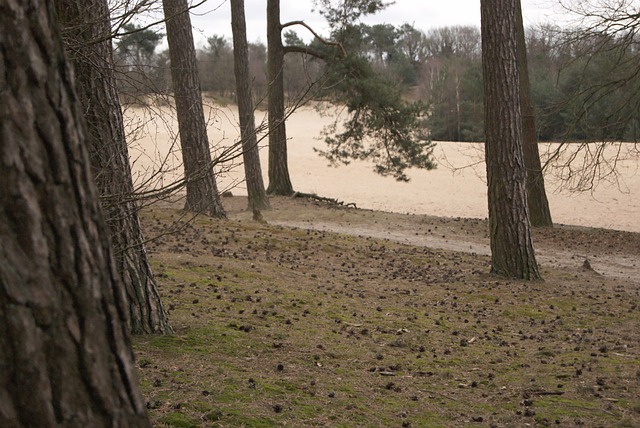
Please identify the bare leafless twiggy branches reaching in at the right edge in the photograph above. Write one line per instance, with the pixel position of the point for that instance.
(604, 43)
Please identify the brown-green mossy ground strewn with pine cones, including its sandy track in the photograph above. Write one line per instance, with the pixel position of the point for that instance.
(330, 316)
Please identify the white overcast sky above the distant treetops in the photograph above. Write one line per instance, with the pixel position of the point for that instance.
(213, 17)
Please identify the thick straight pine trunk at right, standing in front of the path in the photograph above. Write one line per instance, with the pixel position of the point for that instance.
(510, 233)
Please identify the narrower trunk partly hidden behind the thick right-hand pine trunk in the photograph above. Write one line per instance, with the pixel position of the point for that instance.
(539, 212)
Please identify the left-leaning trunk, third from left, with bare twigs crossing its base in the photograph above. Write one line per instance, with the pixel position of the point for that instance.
(202, 191)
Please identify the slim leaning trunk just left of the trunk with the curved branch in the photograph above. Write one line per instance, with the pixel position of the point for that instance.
(258, 199)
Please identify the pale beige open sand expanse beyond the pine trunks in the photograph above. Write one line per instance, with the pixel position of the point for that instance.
(457, 188)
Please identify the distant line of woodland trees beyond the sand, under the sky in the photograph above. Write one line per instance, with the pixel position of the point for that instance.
(583, 88)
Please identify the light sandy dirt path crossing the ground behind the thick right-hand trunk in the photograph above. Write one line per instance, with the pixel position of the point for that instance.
(613, 254)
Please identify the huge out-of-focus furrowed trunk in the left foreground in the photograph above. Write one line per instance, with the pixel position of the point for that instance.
(64, 354)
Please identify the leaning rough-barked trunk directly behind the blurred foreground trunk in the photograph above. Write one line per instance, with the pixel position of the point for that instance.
(86, 30)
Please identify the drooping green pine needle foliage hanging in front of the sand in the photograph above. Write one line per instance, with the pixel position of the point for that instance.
(381, 127)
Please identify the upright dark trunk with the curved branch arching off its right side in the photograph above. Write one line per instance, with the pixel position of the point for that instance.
(279, 180)
